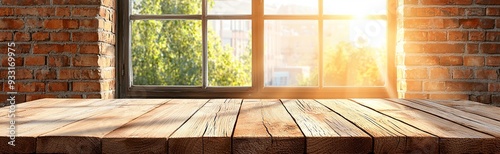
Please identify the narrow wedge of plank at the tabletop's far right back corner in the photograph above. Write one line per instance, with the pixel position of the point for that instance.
(485, 110)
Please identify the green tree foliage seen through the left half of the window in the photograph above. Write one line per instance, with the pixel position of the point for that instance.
(169, 52)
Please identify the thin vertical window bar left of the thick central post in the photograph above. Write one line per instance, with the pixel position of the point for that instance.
(204, 43)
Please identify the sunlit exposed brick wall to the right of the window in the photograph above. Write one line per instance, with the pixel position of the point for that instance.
(449, 49)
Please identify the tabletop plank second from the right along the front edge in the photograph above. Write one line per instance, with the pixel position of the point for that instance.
(390, 135)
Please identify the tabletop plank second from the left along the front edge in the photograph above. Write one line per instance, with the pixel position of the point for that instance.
(84, 136)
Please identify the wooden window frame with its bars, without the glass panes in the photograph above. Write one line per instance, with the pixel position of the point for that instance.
(125, 89)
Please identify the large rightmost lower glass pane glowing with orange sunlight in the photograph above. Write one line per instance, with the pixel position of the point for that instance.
(355, 53)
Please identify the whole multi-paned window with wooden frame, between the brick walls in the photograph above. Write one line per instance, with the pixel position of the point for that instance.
(256, 49)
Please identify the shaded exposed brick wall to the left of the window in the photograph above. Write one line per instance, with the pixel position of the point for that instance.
(64, 48)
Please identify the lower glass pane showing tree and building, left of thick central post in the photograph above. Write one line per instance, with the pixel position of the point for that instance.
(229, 53)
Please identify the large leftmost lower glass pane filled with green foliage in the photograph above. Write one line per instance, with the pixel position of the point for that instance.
(167, 52)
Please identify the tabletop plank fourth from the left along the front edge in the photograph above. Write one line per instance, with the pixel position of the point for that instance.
(209, 130)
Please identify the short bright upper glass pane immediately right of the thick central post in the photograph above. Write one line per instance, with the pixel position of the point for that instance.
(288, 7)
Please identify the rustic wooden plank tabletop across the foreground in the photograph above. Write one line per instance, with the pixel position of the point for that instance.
(252, 126)
